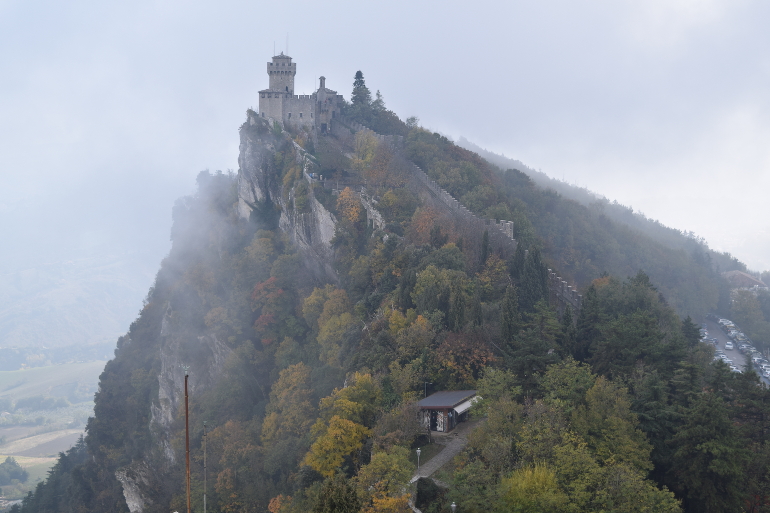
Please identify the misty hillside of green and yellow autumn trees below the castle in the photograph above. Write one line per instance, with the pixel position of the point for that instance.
(308, 385)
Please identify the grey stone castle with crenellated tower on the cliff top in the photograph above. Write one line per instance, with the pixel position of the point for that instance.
(279, 103)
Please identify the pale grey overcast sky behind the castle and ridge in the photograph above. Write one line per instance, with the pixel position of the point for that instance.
(110, 109)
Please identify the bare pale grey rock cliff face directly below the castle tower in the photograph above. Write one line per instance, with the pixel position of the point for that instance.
(260, 187)
